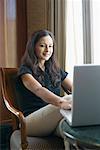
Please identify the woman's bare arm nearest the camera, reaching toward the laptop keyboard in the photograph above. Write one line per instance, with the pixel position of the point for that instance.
(34, 86)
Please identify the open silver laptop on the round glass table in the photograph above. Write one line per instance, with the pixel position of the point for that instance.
(85, 96)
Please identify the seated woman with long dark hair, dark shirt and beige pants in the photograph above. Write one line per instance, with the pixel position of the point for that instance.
(39, 83)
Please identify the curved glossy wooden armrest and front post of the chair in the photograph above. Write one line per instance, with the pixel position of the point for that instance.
(13, 110)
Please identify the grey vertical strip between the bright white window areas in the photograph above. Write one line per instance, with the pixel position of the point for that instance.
(87, 29)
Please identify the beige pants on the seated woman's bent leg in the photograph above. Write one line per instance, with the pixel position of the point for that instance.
(44, 121)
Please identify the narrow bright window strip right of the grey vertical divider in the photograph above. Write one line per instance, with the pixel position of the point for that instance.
(96, 30)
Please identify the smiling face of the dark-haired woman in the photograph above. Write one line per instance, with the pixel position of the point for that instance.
(44, 48)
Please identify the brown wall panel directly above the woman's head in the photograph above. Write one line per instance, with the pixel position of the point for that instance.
(37, 18)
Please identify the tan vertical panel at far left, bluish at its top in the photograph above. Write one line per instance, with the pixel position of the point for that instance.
(8, 33)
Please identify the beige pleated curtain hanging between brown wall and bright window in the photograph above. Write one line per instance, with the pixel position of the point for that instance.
(57, 24)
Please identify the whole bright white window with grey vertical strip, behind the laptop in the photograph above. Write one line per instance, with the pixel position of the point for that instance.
(83, 33)
